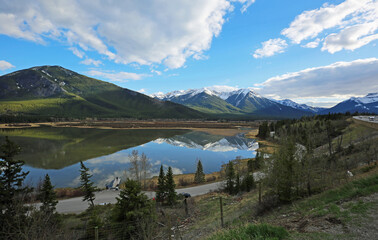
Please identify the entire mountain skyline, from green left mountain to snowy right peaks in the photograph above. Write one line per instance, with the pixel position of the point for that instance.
(53, 91)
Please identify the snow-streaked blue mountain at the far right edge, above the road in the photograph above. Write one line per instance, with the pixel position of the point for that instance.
(367, 104)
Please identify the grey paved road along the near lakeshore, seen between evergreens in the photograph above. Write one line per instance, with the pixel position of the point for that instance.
(76, 205)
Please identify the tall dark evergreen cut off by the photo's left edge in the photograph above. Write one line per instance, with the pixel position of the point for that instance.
(12, 210)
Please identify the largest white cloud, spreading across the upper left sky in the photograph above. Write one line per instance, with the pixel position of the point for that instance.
(143, 32)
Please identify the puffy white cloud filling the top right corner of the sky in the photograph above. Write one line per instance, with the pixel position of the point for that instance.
(348, 25)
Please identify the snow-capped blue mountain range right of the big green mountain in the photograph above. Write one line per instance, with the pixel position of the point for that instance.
(248, 103)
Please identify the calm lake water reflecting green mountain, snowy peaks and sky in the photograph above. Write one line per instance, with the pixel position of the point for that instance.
(58, 151)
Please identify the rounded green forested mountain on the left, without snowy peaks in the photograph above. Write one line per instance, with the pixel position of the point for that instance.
(53, 91)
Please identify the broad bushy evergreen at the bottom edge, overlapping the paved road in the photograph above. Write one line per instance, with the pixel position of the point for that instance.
(132, 211)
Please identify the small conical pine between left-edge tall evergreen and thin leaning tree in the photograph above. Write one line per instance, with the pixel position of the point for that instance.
(47, 196)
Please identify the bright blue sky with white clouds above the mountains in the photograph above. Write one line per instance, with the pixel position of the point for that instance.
(318, 52)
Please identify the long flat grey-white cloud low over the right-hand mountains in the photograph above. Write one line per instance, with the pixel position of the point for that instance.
(337, 80)
